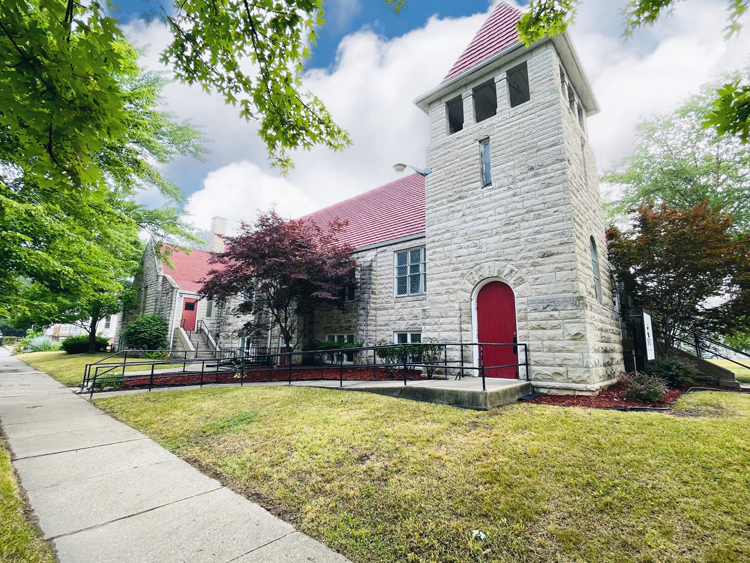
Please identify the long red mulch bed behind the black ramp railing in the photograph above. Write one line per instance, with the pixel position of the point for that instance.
(280, 374)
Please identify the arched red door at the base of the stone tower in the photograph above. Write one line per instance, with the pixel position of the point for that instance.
(496, 323)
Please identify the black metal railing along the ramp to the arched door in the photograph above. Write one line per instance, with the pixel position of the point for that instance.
(396, 361)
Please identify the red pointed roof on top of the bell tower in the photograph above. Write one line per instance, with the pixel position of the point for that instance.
(497, 33)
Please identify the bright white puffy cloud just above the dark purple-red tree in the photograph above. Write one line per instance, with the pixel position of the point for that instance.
(238, 191)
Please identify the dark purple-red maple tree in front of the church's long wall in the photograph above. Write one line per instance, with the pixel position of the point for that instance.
(281, 271)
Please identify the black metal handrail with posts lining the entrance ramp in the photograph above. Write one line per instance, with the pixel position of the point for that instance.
(243, 362)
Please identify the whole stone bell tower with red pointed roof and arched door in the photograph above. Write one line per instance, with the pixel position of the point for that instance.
(514, 224)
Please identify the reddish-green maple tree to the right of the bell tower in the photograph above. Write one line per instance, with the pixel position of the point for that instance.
(690, 267)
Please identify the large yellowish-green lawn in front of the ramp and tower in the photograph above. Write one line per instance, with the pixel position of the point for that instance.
(388, 480)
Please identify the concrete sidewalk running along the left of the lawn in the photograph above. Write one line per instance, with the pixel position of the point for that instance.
(106, 493)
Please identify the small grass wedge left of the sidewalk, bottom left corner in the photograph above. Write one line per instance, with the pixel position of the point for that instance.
(19, 540)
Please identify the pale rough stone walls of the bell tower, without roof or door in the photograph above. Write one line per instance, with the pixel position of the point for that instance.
(530, 229)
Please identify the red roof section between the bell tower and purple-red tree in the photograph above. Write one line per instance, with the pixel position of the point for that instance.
(392, 211)
